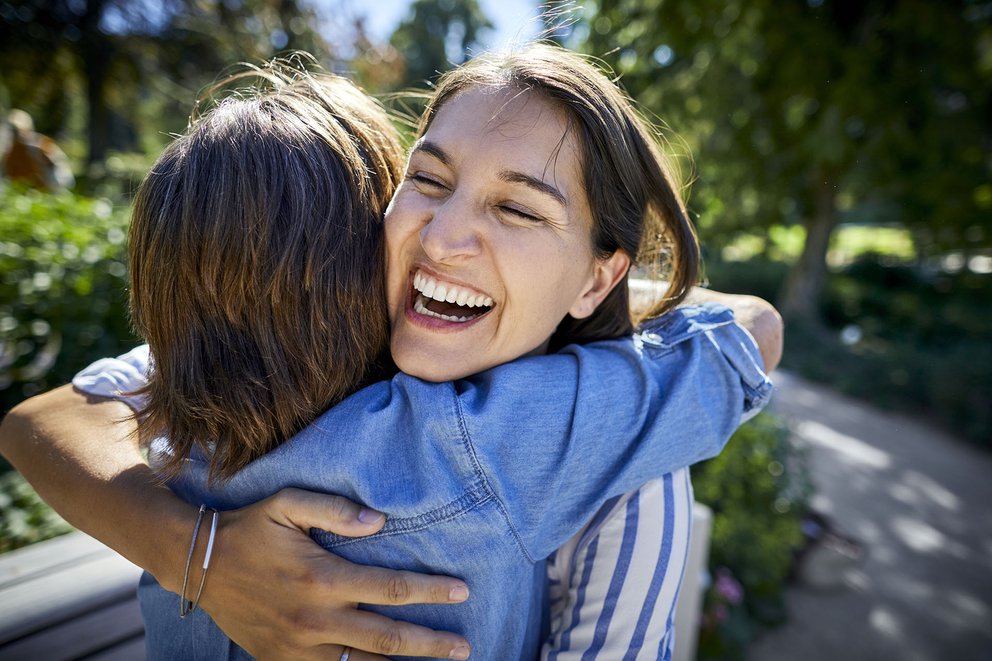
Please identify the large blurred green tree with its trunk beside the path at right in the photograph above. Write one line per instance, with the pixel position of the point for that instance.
(810, 112)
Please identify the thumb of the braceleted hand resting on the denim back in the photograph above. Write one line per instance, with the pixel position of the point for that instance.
(307, 509)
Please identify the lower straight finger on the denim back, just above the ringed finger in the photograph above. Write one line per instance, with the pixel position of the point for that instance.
(378, 634)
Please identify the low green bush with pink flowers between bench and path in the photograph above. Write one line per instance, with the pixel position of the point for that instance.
(758, 489)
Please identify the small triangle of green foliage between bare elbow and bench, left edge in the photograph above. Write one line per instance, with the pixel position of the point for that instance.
(24, 517)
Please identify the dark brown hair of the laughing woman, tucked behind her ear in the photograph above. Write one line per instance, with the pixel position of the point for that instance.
(635, 202)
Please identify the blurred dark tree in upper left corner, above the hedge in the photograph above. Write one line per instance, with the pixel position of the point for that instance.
(128, 56)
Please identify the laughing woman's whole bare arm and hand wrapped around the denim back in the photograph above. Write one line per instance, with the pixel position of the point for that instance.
(82, 455)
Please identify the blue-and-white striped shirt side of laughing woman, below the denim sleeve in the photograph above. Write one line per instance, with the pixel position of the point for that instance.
(613, 586)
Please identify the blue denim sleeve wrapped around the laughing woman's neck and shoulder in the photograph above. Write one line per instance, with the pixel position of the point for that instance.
(567, 437)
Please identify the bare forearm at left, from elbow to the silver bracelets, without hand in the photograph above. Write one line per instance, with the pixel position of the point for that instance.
(82, 456)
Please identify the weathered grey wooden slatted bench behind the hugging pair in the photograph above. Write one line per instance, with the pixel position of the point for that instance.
(71, 598)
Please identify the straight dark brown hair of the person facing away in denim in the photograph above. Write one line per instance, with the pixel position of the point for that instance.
(256, 264)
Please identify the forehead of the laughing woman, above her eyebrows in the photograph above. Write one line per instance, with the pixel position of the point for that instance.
(524, 128)
